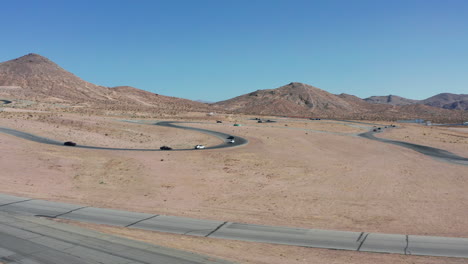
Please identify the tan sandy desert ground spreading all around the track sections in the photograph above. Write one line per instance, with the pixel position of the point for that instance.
(295, 172)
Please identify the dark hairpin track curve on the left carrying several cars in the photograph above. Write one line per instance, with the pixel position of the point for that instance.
(239, 141)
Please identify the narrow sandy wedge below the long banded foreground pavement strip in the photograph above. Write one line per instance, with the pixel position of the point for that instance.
(264, 253)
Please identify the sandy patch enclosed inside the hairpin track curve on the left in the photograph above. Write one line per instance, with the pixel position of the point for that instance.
(101, 131)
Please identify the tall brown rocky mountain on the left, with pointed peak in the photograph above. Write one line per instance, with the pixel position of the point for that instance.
(34, 77)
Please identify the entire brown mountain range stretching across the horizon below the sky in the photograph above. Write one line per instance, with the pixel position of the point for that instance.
(34, 77)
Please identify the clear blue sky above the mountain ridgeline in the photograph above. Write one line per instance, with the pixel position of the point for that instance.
(218, 49)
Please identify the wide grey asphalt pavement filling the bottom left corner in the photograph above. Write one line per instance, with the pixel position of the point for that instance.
(33, 240)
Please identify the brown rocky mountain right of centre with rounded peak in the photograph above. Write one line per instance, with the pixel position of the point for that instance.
(298, 99)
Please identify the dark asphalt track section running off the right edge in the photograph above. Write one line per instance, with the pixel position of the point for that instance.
(436, 153)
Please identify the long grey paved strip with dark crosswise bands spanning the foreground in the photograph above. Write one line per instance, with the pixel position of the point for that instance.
(356, 241)
